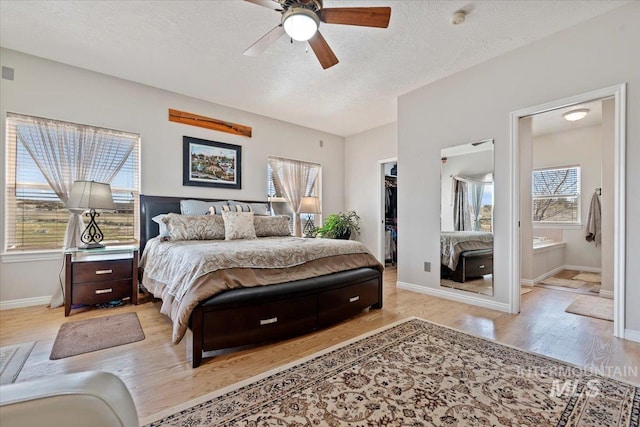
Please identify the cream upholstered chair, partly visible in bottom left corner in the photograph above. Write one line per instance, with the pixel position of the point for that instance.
(71, 400)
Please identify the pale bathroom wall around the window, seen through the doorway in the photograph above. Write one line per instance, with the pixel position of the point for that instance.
(571, 148)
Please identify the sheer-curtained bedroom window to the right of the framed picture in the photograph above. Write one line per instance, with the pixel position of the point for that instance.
(287, 182)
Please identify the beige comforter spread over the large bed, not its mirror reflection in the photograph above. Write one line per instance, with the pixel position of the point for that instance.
(186, 272)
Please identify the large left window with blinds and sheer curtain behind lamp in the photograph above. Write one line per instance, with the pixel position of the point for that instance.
(43, 153)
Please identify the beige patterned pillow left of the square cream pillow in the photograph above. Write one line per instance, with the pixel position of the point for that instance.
(194, 227)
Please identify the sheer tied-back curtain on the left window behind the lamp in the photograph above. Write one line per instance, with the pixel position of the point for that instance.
(67, 152)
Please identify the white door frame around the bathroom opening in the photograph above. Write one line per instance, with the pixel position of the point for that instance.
(618, 92)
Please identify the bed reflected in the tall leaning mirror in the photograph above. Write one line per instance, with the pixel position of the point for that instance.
(466, 254)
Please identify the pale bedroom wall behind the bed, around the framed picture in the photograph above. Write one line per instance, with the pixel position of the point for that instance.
(53, 90)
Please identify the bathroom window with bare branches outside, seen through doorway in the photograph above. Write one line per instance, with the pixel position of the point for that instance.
(556, 195)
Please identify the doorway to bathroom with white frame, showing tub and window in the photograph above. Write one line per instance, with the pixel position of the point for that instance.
(569, 200)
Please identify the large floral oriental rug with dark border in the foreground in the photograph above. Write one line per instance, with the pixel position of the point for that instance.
(420, 374)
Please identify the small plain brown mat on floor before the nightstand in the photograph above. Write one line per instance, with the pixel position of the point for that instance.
(84, 336)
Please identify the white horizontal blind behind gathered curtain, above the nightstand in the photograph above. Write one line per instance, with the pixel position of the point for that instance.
(35, 217)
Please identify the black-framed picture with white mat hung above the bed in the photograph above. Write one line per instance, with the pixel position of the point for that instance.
(211, 164)
